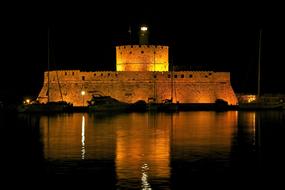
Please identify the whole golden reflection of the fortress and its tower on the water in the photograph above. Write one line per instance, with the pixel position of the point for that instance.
(141, 145)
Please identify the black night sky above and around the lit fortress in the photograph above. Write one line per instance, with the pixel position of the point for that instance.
(84, 37)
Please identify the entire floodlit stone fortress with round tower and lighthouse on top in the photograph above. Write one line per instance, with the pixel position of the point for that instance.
(142, 73)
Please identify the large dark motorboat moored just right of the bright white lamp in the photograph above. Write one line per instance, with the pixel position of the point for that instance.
(99, 103)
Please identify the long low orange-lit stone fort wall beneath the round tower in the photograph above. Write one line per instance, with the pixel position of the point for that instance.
(131, 86)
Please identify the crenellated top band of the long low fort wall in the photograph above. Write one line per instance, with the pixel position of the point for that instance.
(182, 76)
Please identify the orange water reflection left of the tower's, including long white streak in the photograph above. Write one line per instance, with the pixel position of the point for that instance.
(76, 136)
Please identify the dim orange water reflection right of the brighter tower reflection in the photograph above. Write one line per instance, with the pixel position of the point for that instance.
(200, 134)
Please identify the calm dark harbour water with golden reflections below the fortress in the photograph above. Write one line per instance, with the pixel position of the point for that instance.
(144, 150)
